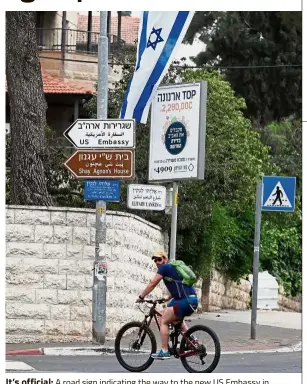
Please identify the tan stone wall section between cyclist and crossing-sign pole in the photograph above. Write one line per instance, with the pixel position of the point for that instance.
(220, 293)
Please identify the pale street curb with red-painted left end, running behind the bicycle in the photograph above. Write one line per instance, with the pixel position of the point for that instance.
(98, 351)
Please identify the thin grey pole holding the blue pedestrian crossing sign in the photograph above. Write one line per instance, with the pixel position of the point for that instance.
(256, 260)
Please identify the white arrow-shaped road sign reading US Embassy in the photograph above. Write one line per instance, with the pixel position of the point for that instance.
(99, 134)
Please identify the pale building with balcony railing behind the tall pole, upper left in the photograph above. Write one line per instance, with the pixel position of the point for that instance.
(68, 43)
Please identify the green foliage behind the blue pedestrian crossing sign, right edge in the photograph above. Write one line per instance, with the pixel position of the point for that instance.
(281, 233)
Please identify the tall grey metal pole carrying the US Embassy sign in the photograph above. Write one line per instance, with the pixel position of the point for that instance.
(100, 280)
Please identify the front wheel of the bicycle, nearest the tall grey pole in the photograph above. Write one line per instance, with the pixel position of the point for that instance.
(134, 344)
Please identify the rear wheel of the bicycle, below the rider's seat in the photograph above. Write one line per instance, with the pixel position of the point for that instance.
(204, 355)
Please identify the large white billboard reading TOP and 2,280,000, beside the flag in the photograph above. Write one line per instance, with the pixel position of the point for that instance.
(177, 134)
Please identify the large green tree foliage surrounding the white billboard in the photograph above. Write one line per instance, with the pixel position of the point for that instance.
(235, 160)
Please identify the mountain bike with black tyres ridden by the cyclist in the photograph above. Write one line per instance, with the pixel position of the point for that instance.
(188, 346)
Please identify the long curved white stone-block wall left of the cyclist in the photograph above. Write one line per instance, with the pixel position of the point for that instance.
(50, 254)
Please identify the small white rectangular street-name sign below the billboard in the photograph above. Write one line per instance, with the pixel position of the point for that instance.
(144, 196)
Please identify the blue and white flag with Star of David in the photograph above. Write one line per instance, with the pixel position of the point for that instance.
(160, 36)
